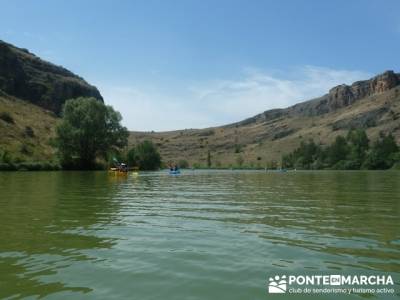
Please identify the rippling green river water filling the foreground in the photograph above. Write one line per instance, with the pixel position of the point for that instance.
(200, 235)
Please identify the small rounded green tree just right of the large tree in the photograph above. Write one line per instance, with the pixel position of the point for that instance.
(147, 156)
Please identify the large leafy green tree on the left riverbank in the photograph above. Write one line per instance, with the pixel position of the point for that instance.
(88, 129)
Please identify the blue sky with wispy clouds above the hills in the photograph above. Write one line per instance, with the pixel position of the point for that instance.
(189, 64)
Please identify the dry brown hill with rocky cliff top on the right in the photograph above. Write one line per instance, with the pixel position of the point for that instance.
(372, 104)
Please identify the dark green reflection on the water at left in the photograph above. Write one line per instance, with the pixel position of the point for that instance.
(47, 221)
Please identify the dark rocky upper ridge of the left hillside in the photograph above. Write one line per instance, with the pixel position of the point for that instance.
(26, 76)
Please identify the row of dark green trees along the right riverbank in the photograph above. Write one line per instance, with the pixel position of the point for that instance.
(352, 152)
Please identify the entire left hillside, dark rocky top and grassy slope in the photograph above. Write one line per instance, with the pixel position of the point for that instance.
(32, 92)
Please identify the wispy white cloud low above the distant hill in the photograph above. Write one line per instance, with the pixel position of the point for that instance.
(217, 102)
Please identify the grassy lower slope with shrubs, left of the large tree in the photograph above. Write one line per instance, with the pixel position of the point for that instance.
(25, 130)
